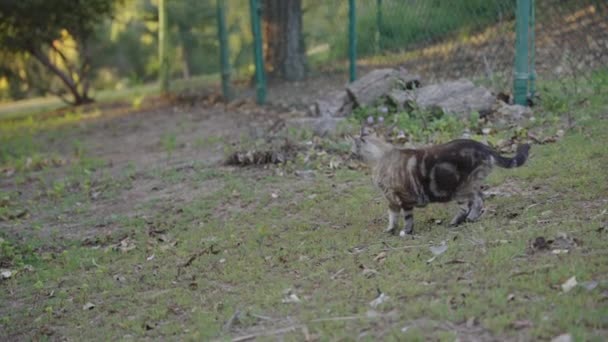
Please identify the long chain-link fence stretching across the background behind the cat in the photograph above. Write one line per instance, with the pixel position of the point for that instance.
(306, 45)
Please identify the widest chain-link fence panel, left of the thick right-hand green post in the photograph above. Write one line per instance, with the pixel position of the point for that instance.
(439, 39)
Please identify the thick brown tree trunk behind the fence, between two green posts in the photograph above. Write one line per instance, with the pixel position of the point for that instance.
(284, 49)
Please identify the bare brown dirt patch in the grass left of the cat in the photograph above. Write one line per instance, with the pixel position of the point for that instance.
(134, 142)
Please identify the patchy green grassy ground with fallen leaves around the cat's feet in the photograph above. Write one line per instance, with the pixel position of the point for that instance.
(162, 243)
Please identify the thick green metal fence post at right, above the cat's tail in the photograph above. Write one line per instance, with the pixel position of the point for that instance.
(520, 82)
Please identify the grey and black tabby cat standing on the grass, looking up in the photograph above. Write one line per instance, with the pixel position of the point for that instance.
(412, 178)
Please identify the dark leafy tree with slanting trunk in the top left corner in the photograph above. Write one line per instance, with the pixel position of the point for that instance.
(41, 29)
